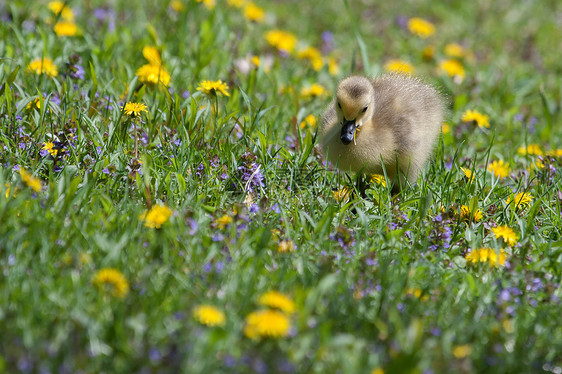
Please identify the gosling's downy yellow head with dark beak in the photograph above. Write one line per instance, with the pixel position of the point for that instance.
(355, 100)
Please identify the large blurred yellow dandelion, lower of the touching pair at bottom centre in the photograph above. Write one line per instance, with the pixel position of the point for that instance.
(267, 323)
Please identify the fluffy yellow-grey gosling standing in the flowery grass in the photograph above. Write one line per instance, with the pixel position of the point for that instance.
(392, 120)
